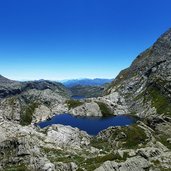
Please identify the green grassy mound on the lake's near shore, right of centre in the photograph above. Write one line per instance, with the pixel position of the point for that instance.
(127, 137)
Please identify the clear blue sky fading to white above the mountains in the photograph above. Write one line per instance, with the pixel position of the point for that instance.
(62, 39)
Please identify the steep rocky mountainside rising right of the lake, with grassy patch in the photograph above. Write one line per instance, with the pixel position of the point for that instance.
(146, 84)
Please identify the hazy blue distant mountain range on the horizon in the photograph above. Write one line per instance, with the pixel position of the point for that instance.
(86, 82)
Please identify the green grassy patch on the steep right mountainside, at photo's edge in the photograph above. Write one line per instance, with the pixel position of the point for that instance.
(160, 101)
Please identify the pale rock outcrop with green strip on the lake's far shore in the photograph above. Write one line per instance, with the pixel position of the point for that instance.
(112, 104)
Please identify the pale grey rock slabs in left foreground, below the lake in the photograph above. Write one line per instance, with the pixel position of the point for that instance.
(27, 145)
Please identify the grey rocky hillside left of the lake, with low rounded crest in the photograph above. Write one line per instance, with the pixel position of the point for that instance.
(26, 102)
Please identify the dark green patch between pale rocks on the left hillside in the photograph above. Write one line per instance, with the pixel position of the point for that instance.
(27, 113)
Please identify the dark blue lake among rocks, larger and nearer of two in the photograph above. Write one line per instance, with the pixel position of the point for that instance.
(92, 125)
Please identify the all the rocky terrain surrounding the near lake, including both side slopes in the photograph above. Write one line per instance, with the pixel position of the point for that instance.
(143, 90)
